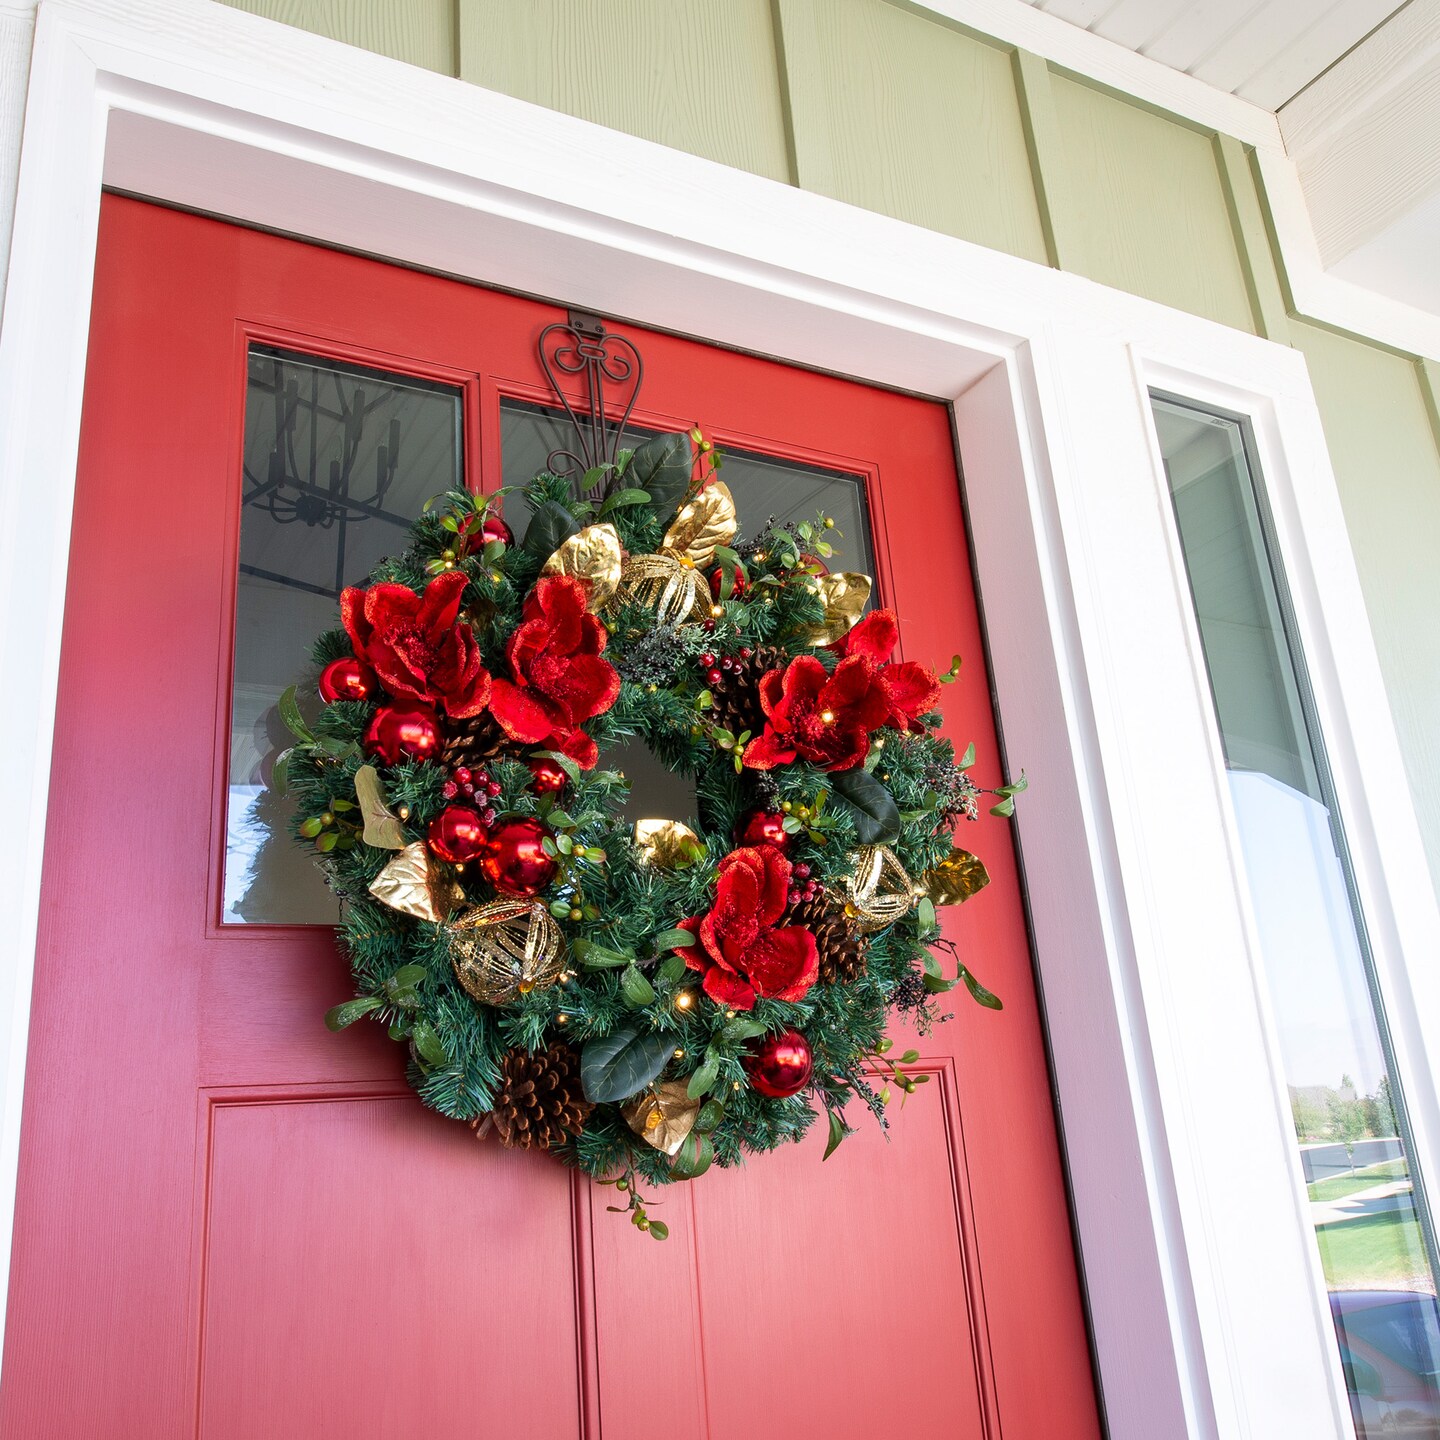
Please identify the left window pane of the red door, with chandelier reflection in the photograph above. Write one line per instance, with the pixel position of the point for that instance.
(338, 463)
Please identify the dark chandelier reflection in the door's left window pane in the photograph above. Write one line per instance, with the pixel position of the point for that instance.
(292, 487)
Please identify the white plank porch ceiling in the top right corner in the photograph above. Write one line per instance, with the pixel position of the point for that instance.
(1264, 51)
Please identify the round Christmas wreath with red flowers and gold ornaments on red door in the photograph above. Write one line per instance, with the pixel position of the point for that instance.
(639, 997)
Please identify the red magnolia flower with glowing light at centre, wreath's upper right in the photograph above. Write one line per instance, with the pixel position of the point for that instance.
(811, 715)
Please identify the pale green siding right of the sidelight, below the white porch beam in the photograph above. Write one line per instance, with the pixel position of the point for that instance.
(1383, 447)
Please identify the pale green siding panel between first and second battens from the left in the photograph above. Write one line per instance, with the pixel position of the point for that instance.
(689, 74)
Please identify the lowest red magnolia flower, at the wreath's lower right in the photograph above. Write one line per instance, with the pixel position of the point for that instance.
(742, 953)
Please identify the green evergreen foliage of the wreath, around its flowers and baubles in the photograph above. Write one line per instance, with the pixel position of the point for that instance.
(627, 961)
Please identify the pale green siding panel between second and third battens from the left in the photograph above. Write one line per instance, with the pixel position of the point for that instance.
(911, 119)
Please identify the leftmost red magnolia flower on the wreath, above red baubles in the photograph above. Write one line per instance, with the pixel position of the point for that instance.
(415, 646)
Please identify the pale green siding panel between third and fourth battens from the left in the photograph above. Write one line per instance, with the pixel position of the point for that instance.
(1146, 201)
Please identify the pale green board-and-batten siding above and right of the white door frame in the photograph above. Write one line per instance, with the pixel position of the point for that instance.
(899, 112)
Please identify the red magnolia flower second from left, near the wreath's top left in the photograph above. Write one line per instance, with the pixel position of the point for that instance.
(558, 678)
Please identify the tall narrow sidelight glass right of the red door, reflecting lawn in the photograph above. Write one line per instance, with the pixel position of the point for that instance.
(1369, 1212)
